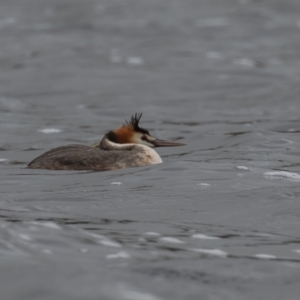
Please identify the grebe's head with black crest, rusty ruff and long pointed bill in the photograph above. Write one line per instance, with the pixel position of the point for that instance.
(131, 133)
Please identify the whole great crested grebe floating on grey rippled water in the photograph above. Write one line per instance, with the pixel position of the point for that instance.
(126, 147)
